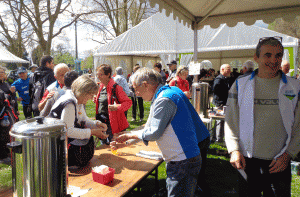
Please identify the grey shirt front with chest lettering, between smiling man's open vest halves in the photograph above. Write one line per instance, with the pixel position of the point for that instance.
(269, 133)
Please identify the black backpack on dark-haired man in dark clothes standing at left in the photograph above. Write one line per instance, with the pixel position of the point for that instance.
(38, 88)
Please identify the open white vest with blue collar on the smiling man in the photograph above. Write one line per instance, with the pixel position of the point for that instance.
(288, 97)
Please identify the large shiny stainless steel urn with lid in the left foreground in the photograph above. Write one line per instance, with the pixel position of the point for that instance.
(39, 149)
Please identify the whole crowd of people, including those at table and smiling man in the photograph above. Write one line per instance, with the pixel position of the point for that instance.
(261, 127)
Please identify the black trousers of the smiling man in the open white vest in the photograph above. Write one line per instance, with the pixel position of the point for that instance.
(260, 180)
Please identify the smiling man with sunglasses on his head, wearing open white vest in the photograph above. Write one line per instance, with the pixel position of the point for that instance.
(262, 123)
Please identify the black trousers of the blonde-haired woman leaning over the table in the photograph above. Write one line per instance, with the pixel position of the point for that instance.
(81, 155)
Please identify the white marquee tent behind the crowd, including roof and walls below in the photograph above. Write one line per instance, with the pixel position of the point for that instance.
(162, 35)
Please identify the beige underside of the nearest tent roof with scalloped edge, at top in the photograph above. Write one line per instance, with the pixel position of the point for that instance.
(217, 12)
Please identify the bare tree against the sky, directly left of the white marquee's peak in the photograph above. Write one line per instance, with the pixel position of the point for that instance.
(118, 16)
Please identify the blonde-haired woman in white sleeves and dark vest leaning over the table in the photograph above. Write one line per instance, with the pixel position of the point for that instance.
(80, 129)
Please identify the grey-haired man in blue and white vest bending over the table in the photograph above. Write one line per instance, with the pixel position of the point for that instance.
(177, 129)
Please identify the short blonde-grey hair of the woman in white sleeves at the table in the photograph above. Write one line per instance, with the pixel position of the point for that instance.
(84, 85)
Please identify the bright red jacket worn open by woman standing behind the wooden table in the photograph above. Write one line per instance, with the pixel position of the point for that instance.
(117, 118)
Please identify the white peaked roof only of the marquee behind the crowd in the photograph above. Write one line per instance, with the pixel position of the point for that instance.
(161, 34)
